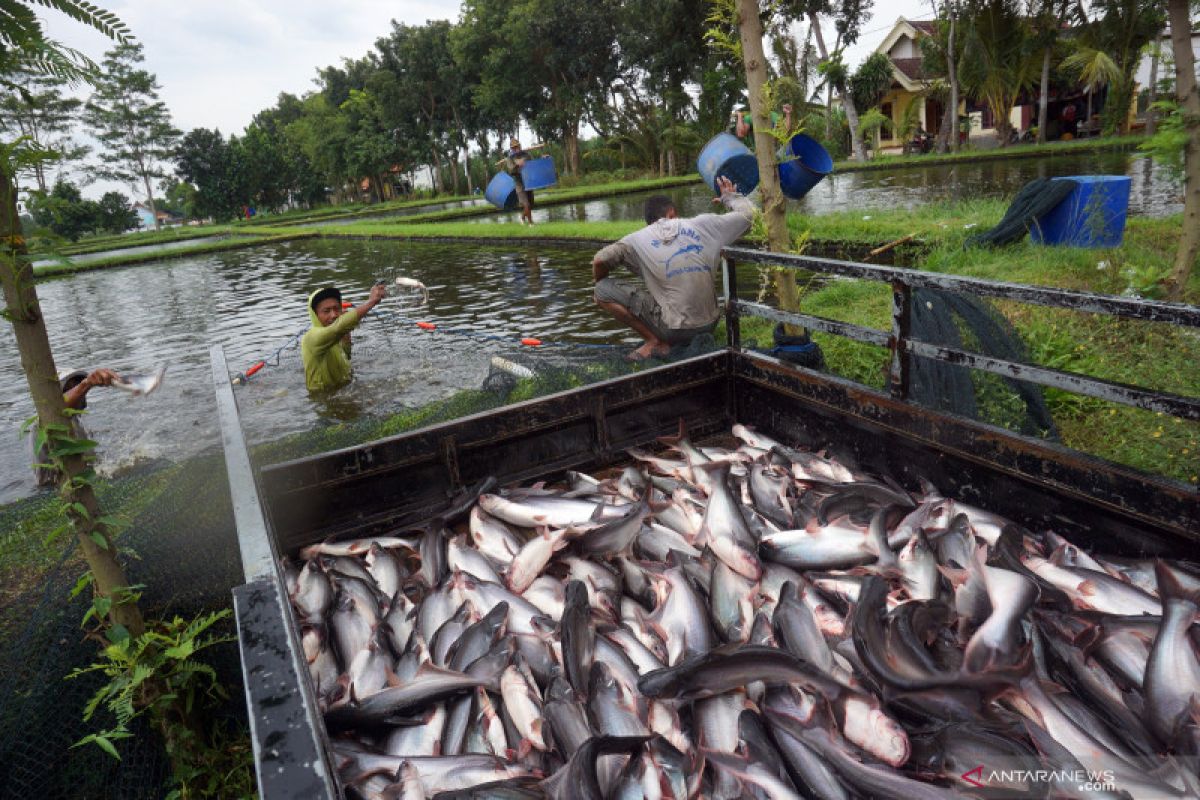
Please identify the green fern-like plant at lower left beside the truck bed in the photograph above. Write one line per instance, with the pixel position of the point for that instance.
(157, 676)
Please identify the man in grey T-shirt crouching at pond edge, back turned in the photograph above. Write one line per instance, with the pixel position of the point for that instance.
(677, 260)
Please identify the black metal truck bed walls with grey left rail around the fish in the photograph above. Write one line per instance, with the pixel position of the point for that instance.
(388, 484)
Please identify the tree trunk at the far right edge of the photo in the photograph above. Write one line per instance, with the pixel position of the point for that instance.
(1189, 98)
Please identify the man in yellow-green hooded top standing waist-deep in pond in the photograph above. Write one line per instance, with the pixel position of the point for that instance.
(326, 347)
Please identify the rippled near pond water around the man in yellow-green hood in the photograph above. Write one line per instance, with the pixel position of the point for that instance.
(253, 300)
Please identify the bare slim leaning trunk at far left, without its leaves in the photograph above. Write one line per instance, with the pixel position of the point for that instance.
(38, 363)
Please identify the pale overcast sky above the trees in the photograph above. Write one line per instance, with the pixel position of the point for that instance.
(220, 63)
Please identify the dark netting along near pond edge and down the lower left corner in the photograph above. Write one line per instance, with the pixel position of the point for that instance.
(183, 544)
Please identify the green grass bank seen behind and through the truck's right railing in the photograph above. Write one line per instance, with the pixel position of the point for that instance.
(1157, 357)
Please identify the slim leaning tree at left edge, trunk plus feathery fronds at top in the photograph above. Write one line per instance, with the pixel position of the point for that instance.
(25, 46)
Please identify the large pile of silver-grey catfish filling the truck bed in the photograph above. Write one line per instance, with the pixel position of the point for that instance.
(753, 622)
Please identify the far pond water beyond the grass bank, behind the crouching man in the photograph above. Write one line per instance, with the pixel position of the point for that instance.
(1151, 190)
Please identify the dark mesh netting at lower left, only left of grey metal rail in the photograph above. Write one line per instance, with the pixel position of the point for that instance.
(187, 555)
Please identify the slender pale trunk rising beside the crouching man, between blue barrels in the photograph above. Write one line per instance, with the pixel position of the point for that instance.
(775, 210)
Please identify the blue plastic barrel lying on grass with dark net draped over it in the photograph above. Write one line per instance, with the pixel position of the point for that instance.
(1091, 216)
